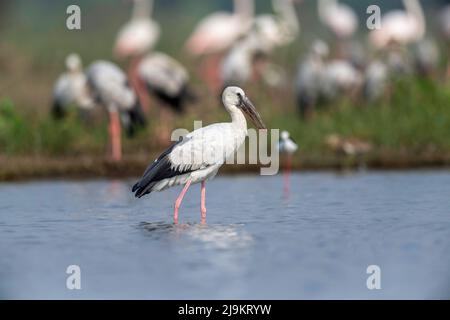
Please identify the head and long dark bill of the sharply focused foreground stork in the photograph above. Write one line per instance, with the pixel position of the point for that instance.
(234, 97)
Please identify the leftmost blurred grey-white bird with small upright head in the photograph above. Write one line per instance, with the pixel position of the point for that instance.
(71, 88)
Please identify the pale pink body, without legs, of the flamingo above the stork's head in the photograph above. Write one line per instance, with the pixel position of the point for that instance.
(218, 31)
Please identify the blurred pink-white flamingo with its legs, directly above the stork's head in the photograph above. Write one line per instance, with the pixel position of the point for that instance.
(215, 34)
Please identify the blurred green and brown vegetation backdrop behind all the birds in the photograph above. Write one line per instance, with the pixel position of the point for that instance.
(34, 42)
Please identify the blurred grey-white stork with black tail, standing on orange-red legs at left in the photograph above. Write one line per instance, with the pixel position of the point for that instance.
(110, 88)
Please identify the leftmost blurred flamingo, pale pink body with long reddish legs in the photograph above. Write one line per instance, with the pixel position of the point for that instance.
(134, 39)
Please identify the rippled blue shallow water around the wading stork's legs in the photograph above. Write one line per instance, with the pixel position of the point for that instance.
(316, 244)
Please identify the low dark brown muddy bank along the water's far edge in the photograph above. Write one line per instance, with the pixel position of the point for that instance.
(89, 167)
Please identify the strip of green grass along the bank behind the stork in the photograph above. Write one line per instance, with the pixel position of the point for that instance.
(415, 119)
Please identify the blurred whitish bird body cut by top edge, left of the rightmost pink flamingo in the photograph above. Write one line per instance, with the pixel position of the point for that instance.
(339, 18)
